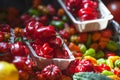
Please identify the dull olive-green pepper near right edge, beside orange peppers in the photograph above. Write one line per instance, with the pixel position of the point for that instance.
(112, 46)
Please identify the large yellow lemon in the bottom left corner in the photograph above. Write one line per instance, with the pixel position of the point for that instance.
(8, 71)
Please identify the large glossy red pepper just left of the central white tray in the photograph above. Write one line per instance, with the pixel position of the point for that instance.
(18, 49)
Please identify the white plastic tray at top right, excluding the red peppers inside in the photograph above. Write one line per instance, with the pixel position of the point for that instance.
(90, 25)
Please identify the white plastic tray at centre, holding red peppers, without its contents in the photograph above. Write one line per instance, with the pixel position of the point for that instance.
(43, 62)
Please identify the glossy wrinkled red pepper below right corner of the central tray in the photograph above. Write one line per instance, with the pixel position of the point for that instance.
(79, 66)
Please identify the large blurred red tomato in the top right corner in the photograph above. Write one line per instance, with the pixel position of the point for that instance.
(114, 7)
